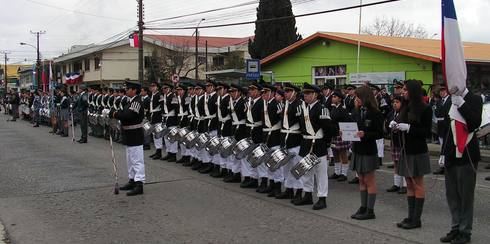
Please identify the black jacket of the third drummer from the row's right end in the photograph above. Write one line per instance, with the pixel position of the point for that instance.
(274, 111)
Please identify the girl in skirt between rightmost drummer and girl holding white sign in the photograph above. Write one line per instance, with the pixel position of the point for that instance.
(340, 148)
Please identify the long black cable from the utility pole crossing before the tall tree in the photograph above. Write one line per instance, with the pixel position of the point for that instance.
(275, 19)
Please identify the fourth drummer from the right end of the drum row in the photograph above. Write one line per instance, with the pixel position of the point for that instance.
(254, 108)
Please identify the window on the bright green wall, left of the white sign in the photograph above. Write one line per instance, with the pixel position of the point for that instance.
(335, 74)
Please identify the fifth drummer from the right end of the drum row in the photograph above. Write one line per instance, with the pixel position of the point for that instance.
(238, 129)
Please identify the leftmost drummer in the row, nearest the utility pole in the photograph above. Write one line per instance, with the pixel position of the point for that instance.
(156, 117)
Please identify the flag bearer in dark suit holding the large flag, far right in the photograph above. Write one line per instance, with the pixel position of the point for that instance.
(461, 164)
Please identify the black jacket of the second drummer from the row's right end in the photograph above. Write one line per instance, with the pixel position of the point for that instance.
(293, 115)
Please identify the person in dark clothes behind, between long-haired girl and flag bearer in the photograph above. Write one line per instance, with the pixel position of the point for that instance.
(443, 120)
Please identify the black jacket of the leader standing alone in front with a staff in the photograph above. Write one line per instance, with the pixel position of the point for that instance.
(131, 115)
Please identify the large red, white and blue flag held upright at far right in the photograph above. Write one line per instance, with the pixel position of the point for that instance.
(454, 72)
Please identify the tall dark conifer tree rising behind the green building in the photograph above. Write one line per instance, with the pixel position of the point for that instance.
(272, 36)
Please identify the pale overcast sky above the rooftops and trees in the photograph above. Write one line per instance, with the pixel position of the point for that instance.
(76, 22)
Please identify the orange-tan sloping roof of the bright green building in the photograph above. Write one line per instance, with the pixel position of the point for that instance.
(427, 49)
